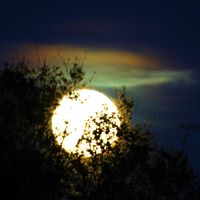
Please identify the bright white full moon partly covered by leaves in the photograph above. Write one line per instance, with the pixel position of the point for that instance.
(79, 115)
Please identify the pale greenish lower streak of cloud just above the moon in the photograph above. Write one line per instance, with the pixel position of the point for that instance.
(137, 77)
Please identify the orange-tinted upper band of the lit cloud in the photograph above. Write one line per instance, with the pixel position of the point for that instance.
(52, 53)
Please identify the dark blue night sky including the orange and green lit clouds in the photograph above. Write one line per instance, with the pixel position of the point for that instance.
(150, 47)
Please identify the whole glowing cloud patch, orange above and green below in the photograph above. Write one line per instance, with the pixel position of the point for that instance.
(113, 68)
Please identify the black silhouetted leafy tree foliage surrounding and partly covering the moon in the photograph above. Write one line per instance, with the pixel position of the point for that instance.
(34, 166)
